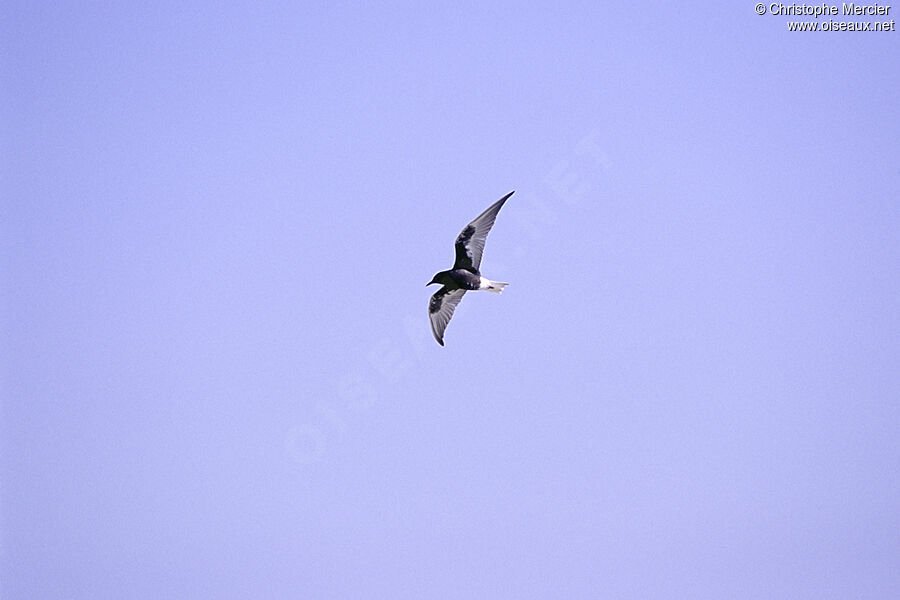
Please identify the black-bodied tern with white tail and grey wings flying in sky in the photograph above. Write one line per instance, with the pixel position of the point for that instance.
(464, 276)
